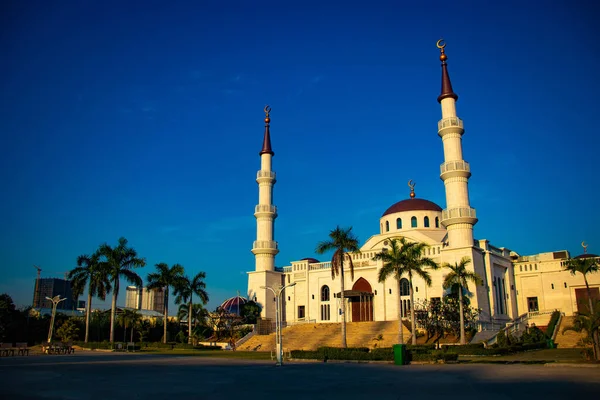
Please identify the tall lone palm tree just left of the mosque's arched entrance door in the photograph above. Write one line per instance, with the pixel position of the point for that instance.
(341, 241)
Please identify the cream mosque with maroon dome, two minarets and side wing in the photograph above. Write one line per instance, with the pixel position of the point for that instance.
(512, 284)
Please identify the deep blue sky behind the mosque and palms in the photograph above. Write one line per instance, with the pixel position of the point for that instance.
(144, 120)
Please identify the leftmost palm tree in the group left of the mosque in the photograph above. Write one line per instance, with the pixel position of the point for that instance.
(90, 272)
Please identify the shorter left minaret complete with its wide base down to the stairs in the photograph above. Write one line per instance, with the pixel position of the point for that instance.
(265, 247)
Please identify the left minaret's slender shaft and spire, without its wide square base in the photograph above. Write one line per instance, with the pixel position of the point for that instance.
(264, 247)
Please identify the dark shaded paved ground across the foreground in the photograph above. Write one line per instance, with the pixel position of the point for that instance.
(90, 375)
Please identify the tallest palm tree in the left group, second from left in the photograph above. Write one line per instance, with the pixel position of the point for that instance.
(119, 262)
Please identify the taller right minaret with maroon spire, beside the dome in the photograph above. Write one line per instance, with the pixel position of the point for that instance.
(458, 217)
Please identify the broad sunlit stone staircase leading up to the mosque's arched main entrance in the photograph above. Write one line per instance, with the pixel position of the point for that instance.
(312, 336)
